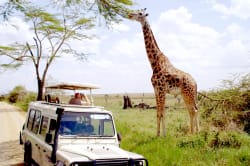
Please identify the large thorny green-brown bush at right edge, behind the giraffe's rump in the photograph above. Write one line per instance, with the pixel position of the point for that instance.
(229, 104)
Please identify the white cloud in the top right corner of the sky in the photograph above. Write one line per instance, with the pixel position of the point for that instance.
(237, 8)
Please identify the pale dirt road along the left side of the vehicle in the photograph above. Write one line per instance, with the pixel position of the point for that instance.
(11, 121)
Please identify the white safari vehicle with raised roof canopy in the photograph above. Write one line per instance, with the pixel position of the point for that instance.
(62, 134)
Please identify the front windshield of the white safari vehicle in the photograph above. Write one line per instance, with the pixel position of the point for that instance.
(87, 124)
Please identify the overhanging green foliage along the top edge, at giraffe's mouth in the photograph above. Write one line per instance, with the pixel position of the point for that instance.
(110, 10)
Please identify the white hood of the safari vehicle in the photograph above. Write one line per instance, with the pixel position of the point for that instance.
(99, 151)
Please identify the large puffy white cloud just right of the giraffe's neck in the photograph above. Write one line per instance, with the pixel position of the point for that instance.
(182, 39)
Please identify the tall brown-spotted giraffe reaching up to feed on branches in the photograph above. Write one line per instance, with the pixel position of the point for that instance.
(166, 78)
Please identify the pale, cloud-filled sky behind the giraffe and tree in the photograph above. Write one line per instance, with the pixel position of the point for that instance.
(207, 38)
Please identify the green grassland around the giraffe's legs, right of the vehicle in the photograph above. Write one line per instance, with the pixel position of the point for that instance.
(212, 146)
